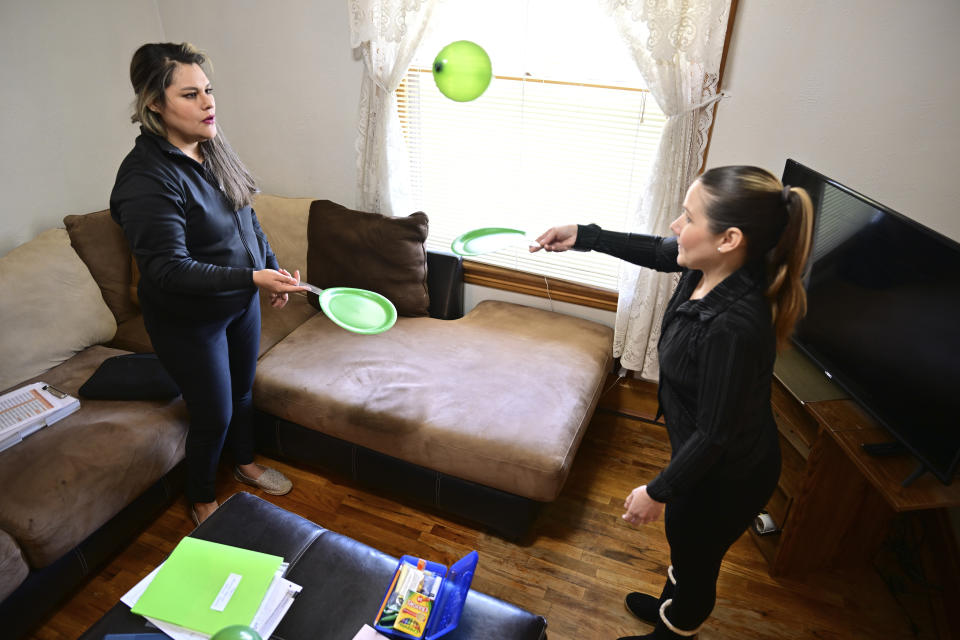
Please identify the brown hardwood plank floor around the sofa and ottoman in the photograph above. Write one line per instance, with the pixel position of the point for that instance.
(579, 560)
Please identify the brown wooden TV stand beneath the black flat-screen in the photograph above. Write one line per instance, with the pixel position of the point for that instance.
(834, 501)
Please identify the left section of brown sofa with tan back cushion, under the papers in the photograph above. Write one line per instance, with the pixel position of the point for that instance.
(75, 491)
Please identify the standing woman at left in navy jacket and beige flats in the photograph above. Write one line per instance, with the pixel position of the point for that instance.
(182, 197)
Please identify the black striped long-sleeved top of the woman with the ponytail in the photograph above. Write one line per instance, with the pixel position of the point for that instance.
(716, 358)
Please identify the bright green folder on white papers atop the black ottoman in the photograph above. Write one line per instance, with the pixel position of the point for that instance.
(205, 586)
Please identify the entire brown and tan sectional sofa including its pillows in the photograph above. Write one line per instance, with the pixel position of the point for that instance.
(479, 415)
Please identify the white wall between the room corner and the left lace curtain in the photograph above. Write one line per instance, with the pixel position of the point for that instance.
(287, 87)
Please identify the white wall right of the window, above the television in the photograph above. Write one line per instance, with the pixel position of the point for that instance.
(863, 91)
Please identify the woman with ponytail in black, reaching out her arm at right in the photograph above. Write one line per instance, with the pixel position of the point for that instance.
(741, 246)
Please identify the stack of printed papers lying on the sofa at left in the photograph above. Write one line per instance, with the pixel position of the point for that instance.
(27, 409)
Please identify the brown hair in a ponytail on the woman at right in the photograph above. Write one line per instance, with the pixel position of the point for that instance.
(777, 222)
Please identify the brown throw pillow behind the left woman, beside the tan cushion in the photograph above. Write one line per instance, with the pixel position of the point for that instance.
(100, 243)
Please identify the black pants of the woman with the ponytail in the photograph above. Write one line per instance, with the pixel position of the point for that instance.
(702, 526)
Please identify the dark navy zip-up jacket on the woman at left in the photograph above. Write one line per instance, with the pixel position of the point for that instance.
(189, 243)
